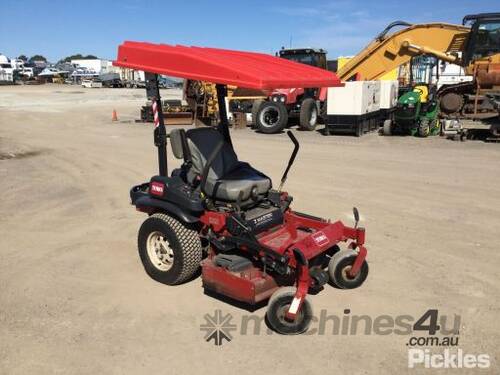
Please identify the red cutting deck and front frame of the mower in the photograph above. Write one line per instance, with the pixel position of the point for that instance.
(311, 236)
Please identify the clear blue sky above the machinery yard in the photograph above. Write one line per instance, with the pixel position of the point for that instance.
(57, 28)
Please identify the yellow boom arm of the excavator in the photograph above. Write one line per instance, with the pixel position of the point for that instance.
(388, 51)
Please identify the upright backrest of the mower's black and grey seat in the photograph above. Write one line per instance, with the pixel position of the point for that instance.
(202, 142)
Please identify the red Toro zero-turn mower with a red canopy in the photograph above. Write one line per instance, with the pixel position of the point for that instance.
(220, 213)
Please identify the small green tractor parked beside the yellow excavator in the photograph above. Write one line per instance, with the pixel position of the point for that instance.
(416, 114)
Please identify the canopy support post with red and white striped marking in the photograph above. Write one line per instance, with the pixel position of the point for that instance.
(160, 133)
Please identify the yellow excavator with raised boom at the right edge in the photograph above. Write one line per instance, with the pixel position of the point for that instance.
(474, 45)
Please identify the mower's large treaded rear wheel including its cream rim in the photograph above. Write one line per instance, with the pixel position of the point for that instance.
(170, 251)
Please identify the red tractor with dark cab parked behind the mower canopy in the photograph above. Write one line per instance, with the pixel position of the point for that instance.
(272, 115)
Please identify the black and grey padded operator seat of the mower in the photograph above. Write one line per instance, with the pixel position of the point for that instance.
(227, 176)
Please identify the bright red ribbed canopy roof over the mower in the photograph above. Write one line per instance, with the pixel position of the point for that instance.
(238, 68)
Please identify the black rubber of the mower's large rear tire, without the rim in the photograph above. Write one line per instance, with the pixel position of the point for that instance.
(184, 241)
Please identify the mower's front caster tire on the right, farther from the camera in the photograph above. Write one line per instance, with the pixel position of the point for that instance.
(340, 263)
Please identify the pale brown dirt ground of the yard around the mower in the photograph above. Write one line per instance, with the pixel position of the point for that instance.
(74, 298)
